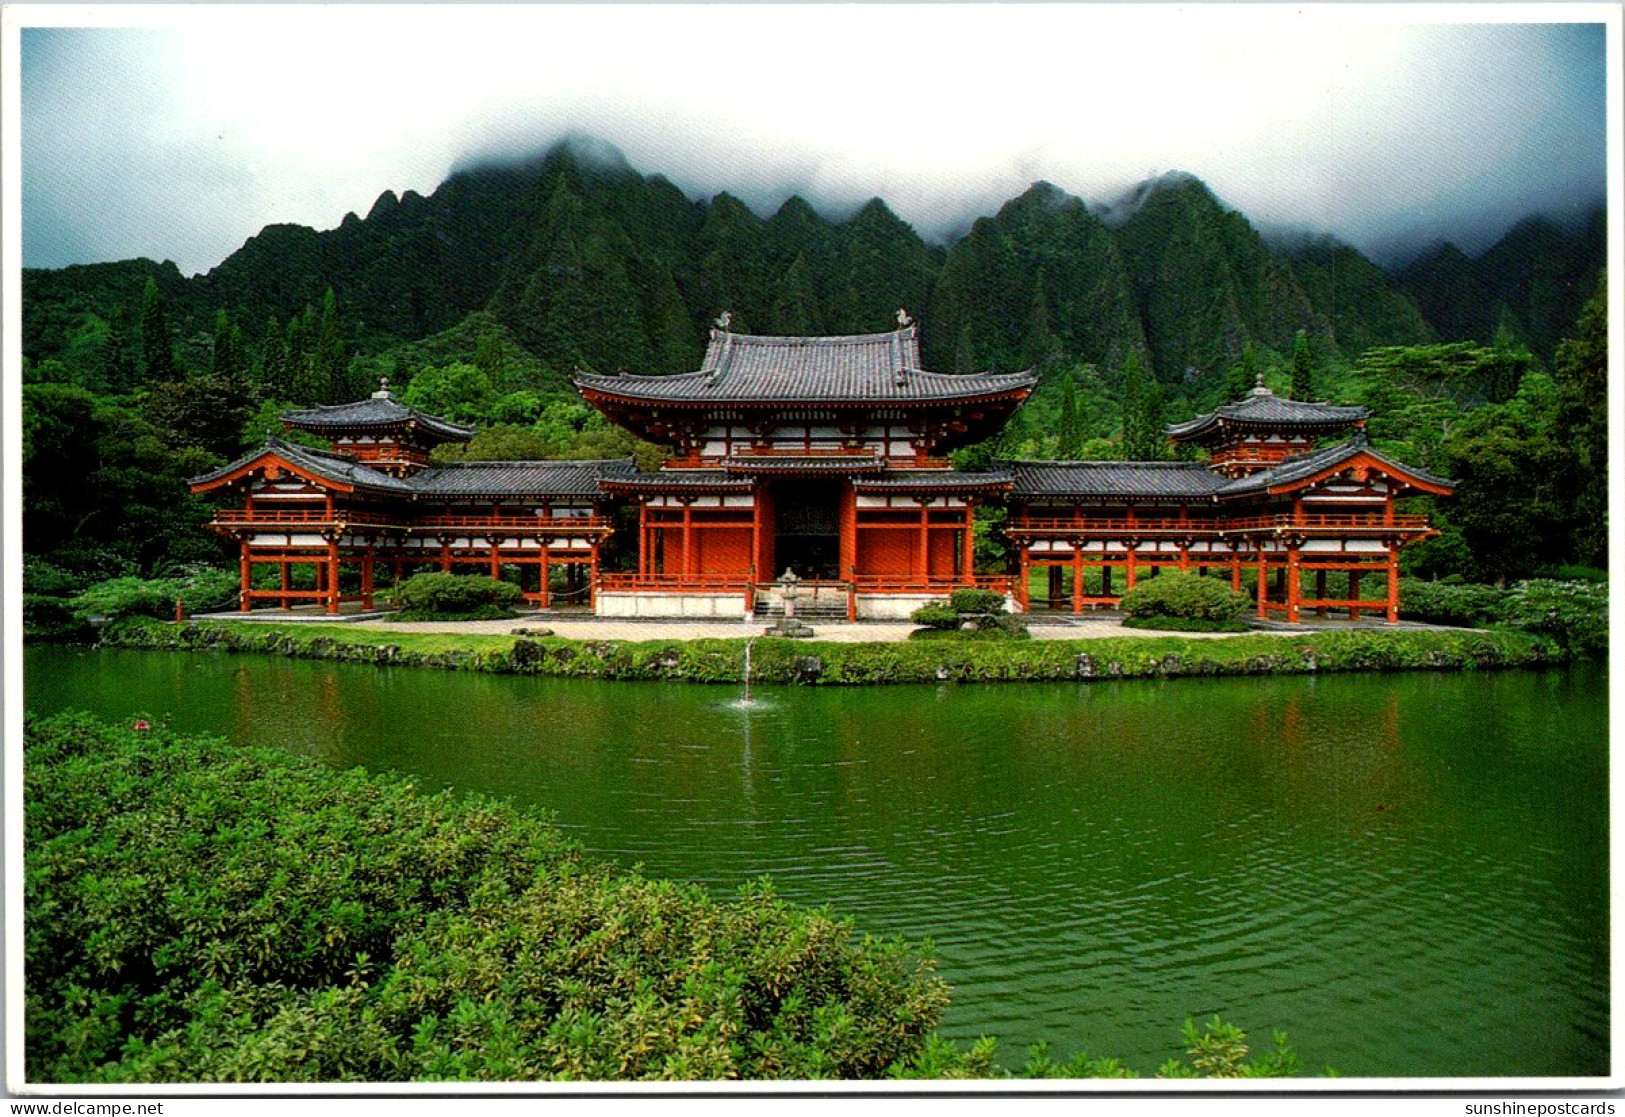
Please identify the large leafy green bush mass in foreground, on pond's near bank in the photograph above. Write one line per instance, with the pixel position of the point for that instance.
(207, 913)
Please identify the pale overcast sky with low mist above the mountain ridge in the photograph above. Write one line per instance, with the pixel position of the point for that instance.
(184, 141)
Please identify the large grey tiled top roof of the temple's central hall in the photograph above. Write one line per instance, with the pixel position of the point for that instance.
(859, 368)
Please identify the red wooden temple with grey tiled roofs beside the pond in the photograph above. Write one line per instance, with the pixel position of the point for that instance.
(825, 456)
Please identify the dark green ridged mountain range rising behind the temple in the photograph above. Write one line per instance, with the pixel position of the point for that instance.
(592, 264)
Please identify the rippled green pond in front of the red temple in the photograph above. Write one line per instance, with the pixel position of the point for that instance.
(1408, 874)
